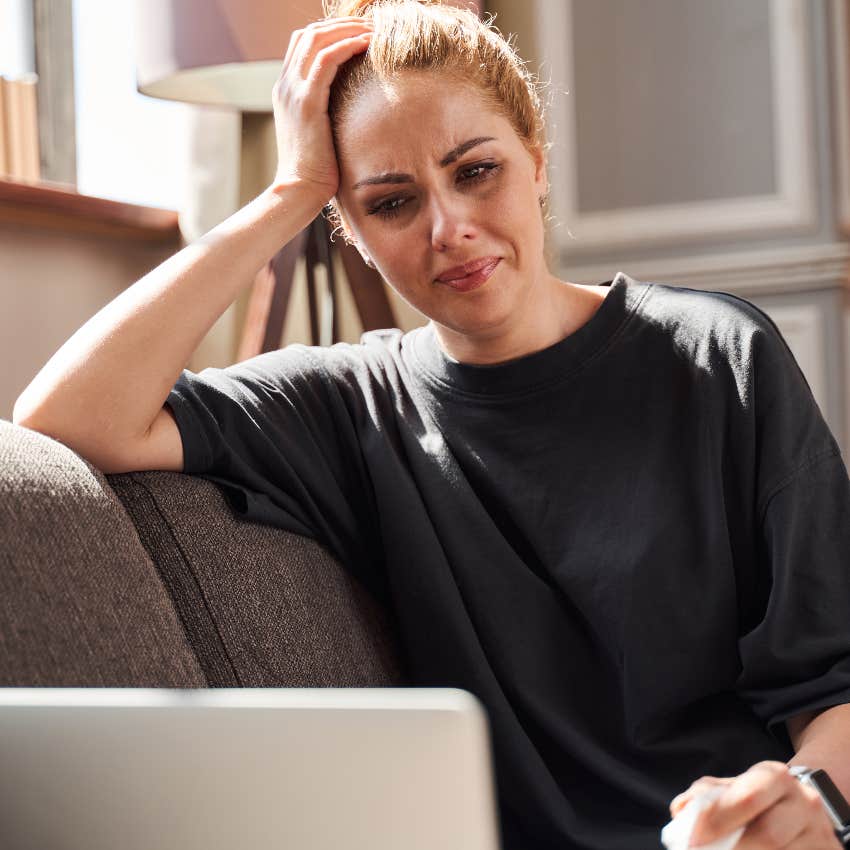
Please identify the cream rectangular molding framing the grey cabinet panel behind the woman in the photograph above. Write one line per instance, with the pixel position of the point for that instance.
(792, 209)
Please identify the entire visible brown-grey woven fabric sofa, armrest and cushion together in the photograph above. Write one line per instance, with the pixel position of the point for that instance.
(148, 579)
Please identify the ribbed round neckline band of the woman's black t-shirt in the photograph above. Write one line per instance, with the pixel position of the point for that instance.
(531, 371)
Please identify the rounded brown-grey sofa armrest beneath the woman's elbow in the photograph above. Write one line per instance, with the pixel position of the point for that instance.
(80, 601)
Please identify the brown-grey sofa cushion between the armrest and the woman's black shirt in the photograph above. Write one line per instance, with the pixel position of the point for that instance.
(263, 607)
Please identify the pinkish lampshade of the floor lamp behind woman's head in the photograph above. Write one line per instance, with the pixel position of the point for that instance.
(220, 52)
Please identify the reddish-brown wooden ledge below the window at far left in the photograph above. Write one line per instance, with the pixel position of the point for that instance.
(59, 206)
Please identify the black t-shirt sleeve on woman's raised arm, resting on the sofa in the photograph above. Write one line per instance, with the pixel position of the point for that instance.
(282, 447)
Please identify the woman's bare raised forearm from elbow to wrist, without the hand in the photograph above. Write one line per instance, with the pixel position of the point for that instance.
(101, 391)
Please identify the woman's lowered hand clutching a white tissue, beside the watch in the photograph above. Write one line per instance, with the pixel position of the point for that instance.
(778, 811)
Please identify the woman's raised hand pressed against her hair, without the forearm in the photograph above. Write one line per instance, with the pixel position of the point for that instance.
(305, 149)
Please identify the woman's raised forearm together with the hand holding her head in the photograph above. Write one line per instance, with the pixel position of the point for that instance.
(102, 391)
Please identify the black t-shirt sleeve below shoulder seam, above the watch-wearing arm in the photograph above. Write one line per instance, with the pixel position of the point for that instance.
(798, 656)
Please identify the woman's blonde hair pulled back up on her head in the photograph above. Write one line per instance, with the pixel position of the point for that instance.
(419, 35)
